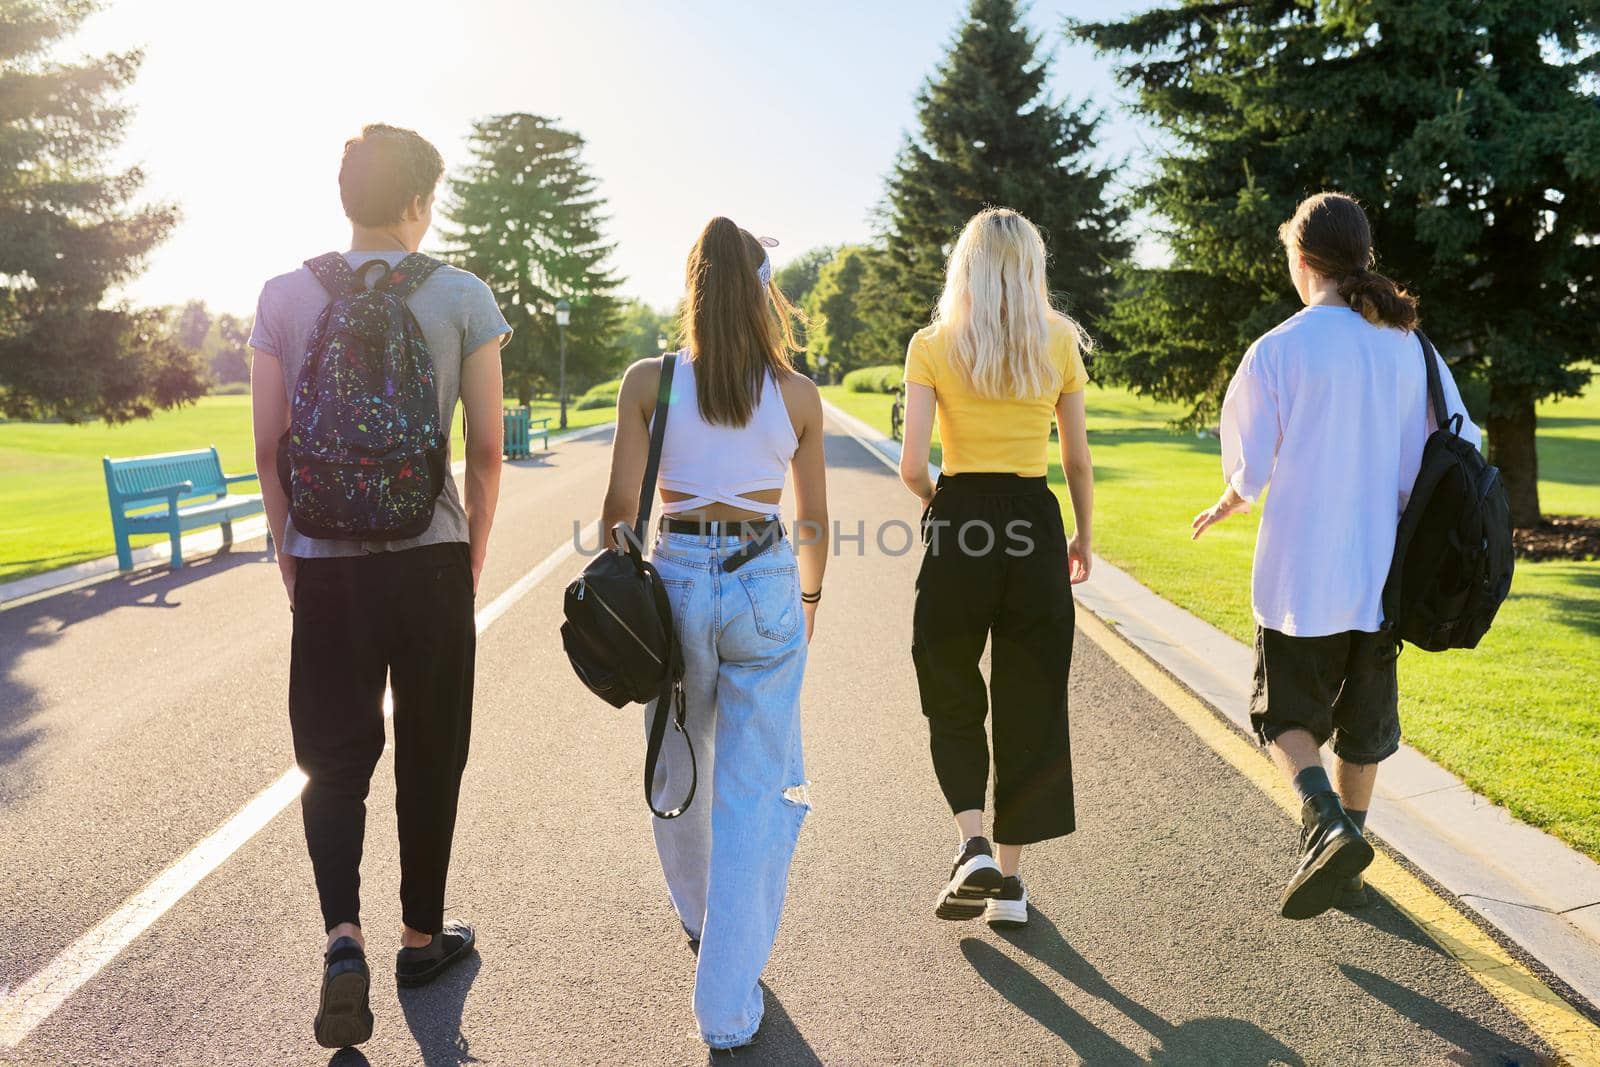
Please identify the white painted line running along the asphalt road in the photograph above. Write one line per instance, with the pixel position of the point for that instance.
(33, 1002)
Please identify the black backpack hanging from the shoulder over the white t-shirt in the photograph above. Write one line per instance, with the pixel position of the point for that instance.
(1454, 549)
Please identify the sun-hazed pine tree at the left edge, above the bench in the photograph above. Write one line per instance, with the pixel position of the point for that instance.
(70, 233)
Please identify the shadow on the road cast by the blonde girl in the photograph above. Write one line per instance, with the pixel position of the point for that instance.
(1212, 1041)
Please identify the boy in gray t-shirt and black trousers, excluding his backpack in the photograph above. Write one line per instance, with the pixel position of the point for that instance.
(385, 612)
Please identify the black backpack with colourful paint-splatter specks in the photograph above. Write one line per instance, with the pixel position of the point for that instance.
(364, 458)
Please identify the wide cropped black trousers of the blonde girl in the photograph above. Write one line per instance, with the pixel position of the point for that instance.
(996, 572)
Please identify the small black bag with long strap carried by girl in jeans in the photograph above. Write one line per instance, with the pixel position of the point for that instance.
(618, 631)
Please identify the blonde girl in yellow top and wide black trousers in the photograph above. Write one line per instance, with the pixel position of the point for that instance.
(998, 366)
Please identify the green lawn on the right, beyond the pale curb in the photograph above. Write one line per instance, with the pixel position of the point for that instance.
(1516, 717)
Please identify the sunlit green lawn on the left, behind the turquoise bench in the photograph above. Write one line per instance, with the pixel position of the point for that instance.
(54, 506)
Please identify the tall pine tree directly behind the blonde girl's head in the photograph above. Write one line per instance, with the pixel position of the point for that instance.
(991, 135)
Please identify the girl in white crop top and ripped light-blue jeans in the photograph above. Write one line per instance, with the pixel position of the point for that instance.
(745, 597)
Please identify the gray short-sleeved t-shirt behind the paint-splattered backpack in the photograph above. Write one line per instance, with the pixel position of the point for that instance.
(458, 316)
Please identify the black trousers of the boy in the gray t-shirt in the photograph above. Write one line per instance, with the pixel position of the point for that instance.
(404, 617)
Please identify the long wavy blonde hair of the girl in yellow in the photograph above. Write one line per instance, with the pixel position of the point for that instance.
(996, 308)
